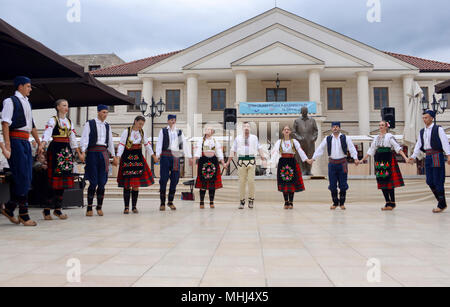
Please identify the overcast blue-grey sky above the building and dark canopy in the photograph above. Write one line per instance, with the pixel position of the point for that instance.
(135, 29)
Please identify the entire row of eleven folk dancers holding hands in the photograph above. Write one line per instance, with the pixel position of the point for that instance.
(96, 147)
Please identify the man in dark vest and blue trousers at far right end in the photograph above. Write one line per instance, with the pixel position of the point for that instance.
(434, 142)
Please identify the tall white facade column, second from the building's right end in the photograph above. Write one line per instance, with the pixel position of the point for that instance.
(363, 102)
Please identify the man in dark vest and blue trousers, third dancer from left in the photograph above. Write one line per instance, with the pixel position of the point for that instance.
(97, 140)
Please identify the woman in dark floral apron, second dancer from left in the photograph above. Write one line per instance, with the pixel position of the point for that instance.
(59, 157)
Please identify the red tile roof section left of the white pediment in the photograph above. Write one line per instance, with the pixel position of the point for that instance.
(131, 68)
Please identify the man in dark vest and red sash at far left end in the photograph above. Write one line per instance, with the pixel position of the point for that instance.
(17, 125)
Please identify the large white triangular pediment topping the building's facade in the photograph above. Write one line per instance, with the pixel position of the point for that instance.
(336, 50)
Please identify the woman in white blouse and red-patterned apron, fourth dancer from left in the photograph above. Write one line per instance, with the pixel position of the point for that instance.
(133, 170)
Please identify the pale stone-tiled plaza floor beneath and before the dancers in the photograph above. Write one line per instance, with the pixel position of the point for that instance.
(267, 246)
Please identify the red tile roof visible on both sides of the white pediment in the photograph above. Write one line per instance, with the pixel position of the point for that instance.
(132, 68)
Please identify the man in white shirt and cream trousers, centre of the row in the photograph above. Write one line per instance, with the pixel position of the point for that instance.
(247, 147)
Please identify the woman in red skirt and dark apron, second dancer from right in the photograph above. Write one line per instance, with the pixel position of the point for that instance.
(387, 170)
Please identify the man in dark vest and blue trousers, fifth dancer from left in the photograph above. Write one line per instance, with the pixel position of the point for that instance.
(171, 147)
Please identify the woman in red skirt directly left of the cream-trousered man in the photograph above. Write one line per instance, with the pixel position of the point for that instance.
(210, 154)
